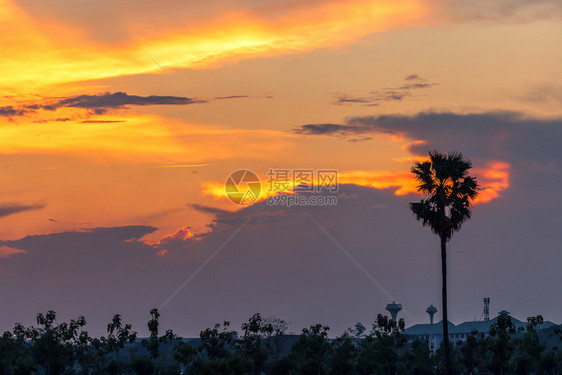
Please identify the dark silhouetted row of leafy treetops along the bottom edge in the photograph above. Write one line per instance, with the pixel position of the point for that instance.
(264, 347)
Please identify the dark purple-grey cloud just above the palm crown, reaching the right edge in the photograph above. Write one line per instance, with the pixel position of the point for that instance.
(496, 135)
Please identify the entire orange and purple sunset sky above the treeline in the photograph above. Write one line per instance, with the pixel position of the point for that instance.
(121, 121)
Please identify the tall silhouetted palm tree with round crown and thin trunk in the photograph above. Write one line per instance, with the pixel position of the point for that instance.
(449, 192)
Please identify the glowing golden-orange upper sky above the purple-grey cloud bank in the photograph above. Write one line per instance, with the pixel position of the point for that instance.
(130, 113)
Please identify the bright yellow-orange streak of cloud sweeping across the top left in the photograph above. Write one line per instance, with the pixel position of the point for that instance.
(39, 52)
